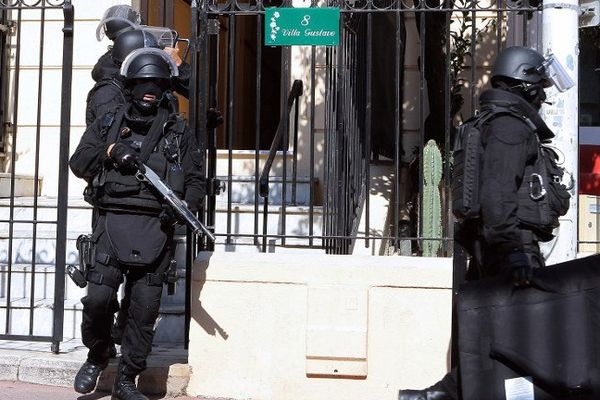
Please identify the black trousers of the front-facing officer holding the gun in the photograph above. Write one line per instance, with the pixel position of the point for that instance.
(101, 303)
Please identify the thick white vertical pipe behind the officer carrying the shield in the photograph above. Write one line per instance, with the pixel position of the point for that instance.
(561, 37)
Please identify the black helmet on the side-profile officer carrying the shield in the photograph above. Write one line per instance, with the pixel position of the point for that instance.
(520, 64)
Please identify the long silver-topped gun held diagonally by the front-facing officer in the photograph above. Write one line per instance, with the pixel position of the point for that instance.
(146, 174)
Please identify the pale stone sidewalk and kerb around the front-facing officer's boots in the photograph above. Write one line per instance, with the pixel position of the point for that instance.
(33, 372)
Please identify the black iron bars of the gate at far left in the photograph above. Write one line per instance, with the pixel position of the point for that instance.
(30, 119)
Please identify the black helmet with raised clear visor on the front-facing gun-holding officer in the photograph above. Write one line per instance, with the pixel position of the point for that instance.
(148, 63)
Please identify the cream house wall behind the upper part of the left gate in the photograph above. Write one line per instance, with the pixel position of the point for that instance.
(86, 52)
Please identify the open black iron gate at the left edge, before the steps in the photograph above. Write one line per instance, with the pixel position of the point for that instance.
(35, 109)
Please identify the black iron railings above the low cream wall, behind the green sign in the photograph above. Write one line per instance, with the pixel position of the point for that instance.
(397, 59)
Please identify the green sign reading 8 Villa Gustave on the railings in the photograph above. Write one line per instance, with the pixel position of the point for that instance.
(302, 26)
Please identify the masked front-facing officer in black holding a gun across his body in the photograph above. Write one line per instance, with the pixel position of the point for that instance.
(133, 234)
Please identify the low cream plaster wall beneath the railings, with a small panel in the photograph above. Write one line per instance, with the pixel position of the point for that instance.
(266, 327)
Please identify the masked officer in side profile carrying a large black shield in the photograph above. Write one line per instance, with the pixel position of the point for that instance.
(512, 218)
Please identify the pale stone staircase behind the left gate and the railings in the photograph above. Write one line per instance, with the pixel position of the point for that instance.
(29, 288)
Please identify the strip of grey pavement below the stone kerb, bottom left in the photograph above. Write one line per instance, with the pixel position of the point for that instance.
(29, 391)
